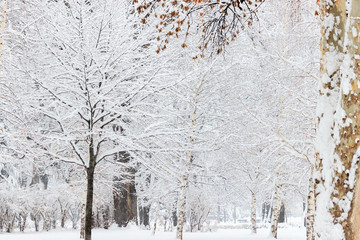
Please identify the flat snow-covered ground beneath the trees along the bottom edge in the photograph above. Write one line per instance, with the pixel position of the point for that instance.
(136, 234)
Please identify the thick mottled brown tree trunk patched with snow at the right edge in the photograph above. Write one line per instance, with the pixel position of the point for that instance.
(337, 172)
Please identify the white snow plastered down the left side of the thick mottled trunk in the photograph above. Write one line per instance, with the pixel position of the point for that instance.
(325, 142)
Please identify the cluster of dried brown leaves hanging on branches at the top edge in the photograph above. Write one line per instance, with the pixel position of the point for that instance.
(218, 21)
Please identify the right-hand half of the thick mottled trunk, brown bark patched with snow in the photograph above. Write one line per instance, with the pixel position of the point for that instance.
(348, 147)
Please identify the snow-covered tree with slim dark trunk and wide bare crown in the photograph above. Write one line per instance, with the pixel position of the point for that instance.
(78, 60)
